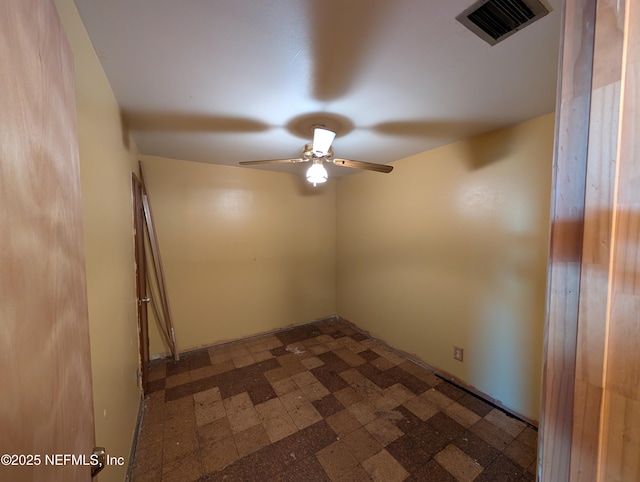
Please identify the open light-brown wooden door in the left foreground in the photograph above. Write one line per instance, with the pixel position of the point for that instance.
(46, 404)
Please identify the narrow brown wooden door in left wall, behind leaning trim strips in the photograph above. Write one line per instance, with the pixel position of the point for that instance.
(141, 279)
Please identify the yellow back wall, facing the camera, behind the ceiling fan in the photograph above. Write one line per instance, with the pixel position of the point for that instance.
(244, 251)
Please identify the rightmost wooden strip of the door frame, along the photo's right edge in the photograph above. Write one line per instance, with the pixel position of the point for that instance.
(620, 447)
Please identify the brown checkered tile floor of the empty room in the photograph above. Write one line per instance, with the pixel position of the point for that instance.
(320, 402)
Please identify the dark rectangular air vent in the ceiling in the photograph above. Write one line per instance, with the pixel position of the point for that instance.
(495, 20)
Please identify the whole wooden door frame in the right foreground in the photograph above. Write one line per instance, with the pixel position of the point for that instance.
(590, 403)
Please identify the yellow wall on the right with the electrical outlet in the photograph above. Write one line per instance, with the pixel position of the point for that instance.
(451, 249)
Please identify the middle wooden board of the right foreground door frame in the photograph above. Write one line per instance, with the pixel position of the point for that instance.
(597, 242)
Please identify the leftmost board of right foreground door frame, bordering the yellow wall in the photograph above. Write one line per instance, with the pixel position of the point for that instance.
(568, 198)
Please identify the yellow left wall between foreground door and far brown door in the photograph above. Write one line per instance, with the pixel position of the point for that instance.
(106, 160)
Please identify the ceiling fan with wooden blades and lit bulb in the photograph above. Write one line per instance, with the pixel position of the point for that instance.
(319, 152)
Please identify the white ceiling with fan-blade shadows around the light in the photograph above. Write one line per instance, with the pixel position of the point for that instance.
(223, 81)
